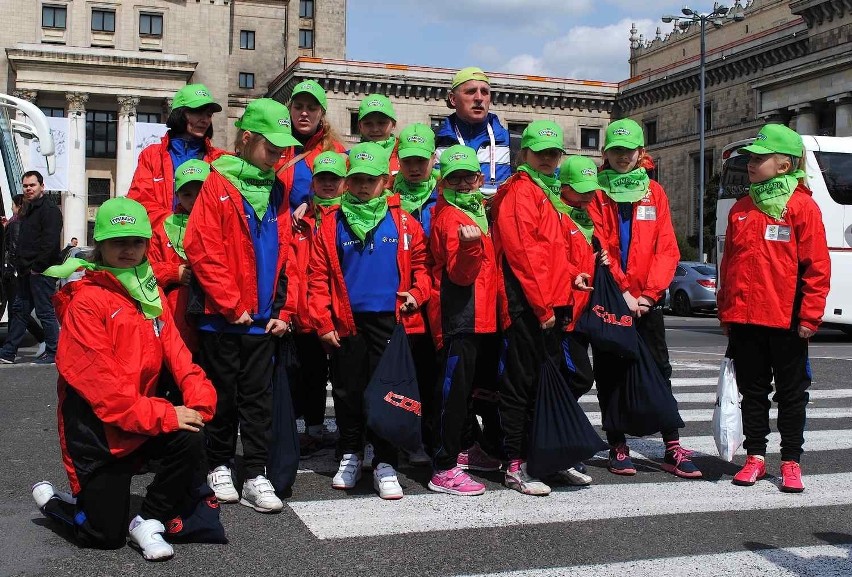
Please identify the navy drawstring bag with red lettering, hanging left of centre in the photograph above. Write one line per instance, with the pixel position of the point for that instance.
(392, 399)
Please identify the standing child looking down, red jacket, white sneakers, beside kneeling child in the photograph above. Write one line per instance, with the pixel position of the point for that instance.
(238, 244)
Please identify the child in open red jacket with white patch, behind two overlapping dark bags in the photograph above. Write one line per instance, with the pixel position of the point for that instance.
(634, 218)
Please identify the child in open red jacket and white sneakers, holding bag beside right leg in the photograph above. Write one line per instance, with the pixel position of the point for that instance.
(367, 272)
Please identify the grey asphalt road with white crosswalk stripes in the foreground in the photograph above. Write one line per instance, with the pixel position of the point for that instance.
(652, 523)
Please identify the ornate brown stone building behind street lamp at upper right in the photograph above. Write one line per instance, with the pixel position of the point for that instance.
(785, 62)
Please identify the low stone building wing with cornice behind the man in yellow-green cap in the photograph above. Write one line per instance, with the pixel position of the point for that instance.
(581, 107)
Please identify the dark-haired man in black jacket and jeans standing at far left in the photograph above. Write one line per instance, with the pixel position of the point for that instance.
(38, 248)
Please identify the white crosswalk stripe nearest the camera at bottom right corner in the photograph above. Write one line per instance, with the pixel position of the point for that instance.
(789, 562)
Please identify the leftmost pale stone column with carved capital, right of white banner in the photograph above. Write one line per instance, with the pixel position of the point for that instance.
(76, 200)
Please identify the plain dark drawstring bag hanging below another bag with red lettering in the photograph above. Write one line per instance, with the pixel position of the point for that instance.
(644, 404)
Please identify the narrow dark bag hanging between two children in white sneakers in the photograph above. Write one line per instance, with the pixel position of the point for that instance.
(283, 459)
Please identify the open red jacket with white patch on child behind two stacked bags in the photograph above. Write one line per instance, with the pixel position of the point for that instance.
(653, 255)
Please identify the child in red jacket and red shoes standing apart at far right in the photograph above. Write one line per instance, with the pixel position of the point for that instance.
(774, 275)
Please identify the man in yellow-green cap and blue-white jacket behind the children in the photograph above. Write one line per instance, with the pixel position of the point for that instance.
(473, 125)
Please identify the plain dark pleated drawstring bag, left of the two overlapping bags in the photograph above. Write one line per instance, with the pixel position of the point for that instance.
(561, 434)
